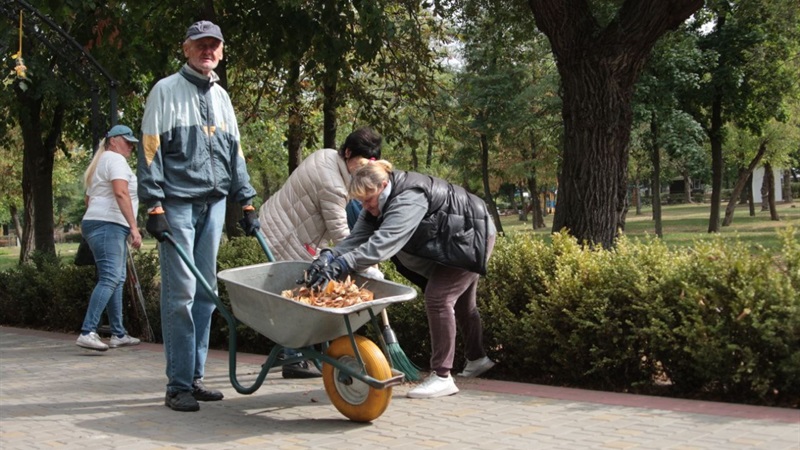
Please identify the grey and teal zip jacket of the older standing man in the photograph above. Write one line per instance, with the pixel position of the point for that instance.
(190, 143)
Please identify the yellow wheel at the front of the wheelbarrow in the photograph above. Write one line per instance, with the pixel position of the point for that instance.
(355, 399)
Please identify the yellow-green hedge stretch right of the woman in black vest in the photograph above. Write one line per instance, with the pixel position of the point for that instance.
(714, 322)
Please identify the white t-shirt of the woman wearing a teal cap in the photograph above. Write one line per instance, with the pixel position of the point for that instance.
(102, 203)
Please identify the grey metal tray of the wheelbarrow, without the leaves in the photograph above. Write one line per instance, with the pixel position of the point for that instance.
(254, 293)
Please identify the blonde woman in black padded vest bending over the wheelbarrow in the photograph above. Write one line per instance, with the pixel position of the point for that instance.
(437, 230)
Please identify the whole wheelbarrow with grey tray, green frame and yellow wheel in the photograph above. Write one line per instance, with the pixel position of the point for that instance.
(357, 373)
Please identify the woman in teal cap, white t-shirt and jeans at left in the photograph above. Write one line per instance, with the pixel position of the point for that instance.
(111, 205)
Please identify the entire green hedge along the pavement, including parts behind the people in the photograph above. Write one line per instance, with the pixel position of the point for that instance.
(715, 321)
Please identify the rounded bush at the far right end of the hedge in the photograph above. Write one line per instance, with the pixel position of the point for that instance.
(734, 319)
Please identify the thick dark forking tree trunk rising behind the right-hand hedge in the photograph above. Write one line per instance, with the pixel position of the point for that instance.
(598, 69)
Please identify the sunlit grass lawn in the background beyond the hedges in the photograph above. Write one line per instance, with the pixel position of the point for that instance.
(682, 225)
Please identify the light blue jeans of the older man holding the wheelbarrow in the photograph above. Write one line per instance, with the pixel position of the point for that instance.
(186, 307)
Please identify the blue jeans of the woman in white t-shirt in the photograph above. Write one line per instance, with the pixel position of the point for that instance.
(107, 241)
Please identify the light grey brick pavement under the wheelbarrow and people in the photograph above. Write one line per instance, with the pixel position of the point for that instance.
(54, 394)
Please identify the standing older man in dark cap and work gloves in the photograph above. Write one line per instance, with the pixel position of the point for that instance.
(190, 161)
